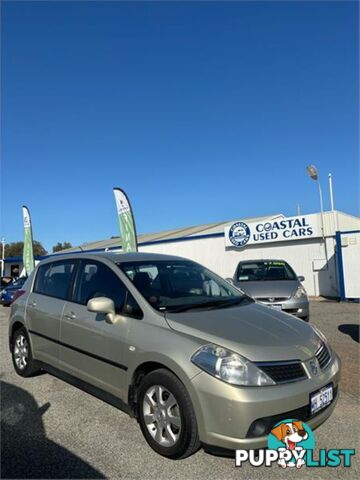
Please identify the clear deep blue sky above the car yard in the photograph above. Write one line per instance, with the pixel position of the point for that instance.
(201, 111)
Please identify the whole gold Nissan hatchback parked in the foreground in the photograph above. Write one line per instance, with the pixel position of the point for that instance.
(196, 361)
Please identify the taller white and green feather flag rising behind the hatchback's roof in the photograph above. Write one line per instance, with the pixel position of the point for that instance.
(126, 221)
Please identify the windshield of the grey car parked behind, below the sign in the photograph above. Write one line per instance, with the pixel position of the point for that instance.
(269, 270)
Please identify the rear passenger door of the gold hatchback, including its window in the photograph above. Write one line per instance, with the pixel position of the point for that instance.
(45, 306)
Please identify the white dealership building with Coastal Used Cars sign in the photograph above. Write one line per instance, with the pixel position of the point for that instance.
(324, 248)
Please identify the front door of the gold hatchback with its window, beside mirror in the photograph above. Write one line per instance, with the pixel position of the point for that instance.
(91, 348)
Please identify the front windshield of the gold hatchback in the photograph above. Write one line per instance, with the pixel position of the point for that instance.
(180, 285)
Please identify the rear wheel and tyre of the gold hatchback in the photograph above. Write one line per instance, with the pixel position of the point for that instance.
(22, 358)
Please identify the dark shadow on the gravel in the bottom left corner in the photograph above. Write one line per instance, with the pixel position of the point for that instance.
(25, 450)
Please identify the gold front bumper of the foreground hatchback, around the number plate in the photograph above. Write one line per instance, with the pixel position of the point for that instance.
(225, 413)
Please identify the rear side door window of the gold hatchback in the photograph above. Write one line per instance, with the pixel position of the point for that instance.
(54, 279)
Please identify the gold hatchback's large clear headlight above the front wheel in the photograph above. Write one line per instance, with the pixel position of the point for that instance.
(229, 366)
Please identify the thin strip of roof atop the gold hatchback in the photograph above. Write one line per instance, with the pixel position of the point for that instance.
(114, 257)
